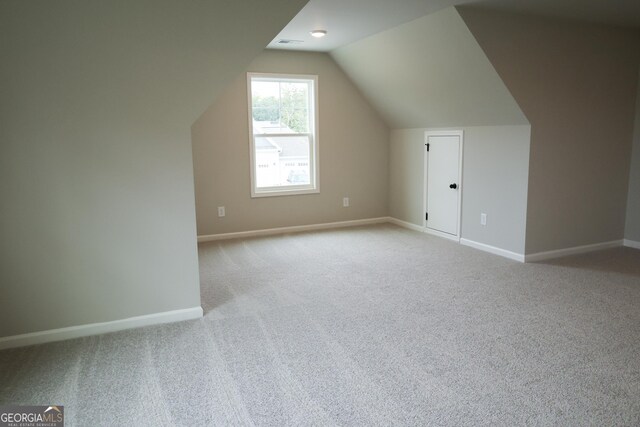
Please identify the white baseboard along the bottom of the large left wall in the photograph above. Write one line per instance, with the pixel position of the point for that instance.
(99, 328)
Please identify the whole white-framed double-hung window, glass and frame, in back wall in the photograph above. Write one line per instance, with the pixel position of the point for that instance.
(283, 122)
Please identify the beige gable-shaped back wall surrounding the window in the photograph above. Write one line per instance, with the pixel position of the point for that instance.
(353, 145)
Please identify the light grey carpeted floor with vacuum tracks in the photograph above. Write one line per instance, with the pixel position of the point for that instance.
(365, 326)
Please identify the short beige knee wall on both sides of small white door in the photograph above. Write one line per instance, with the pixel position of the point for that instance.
(494, 181)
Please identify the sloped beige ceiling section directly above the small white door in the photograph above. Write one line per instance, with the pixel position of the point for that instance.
(429, 72)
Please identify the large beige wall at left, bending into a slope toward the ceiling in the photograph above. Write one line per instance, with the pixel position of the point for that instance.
(97, 100)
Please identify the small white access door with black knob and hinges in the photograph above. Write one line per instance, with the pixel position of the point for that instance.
(443, 175)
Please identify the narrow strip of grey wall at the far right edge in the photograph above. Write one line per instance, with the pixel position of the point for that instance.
(632, 229)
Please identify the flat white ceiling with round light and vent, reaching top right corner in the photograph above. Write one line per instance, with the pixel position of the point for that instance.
(349, 20)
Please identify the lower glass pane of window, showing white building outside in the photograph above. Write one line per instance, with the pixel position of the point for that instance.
(282, 161)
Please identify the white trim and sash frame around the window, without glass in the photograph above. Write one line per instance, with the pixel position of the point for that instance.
(291, 190)
